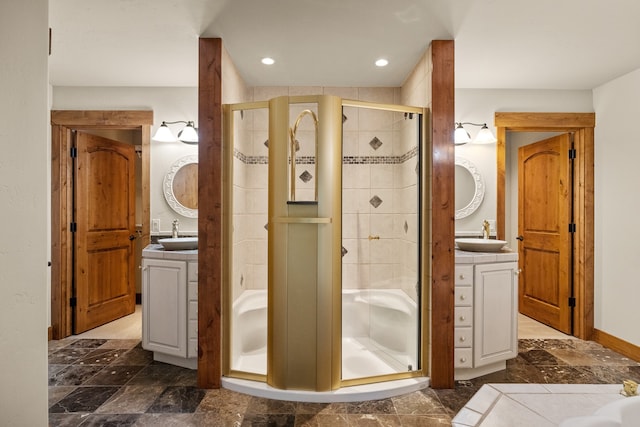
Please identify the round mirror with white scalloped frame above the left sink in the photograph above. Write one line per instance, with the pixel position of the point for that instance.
(180, 186)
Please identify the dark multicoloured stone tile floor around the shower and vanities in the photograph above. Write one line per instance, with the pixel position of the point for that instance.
(111, 382)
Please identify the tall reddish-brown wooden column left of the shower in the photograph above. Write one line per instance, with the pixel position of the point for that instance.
(210, 213)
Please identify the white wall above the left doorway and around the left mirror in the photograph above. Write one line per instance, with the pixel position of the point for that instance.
(168, 104)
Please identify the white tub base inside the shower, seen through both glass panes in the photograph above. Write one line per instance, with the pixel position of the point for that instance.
(382, 322)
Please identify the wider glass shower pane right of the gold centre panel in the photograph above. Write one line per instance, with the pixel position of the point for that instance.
(381, 290)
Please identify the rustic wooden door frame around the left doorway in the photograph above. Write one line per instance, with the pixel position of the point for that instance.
(130, 125)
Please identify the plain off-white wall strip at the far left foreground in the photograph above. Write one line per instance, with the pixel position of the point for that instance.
(23, 194)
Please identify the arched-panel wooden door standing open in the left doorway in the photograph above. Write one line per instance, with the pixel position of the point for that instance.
(104, 214)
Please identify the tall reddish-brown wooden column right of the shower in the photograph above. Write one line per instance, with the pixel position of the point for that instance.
(443, 211)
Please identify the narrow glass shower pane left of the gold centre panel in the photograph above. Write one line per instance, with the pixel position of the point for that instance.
(247, 162)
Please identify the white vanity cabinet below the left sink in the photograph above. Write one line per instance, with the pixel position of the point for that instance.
(170, 305)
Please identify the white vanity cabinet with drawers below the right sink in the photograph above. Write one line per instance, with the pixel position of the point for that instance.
(486, 312)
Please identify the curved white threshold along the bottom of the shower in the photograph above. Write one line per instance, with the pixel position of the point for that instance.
(357, 393)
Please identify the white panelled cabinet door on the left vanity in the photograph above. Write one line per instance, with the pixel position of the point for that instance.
(164, 306)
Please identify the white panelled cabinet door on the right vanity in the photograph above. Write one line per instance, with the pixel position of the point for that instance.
(496, 313)
